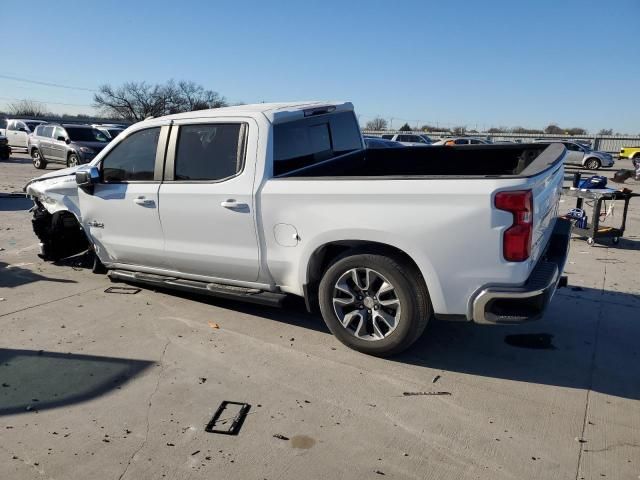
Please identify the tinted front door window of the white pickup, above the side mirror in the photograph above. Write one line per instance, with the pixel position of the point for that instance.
(133, 159)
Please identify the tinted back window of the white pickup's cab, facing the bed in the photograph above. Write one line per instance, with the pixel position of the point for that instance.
(305, 142)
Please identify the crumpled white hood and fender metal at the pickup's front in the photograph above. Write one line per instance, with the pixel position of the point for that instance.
(56, 190)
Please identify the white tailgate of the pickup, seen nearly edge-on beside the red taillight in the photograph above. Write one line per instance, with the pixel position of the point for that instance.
(547, 189)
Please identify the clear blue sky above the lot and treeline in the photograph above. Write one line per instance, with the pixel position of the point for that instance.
(477, 64)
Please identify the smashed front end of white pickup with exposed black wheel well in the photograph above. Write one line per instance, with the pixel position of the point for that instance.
(56, 214)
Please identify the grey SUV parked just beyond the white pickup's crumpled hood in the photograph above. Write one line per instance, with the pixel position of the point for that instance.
(65, 143)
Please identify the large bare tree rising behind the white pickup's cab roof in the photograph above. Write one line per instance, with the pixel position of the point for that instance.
(135, 101)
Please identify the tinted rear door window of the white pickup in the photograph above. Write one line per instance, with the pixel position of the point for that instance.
(209, 152)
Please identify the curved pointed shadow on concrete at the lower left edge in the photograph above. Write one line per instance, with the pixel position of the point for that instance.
(32, 380)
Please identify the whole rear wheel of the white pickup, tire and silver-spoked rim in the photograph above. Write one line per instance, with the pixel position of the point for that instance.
(375, 304)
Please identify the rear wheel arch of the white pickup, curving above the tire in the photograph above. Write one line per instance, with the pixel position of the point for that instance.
(324, 255)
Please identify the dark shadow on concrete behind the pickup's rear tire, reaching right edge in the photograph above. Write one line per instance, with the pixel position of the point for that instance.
(587, 340)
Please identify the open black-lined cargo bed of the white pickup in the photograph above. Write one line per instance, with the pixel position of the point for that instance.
(519, 160)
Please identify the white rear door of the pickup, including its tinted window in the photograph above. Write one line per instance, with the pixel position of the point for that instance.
(209, 223)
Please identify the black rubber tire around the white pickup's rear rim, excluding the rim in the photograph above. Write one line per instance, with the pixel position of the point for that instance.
(409, 288)
